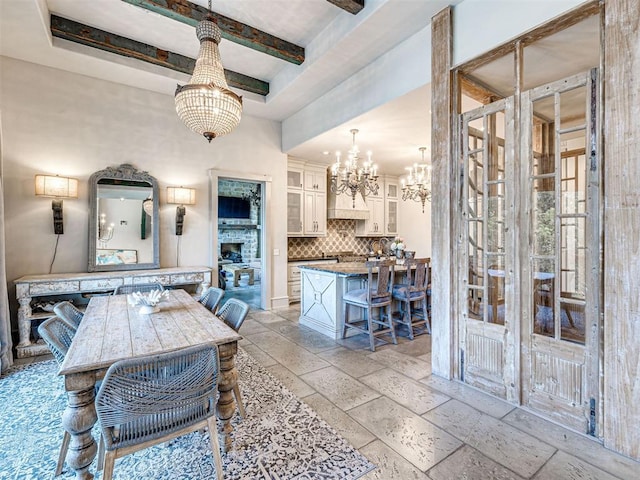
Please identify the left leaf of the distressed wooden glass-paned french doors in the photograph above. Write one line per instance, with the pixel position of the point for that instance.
(486, 334)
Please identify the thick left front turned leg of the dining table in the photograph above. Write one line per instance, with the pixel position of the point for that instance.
(78, 419)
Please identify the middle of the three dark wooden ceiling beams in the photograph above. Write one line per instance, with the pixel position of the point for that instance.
(232, 30)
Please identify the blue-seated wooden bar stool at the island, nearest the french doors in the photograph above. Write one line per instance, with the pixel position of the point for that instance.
(411, 295)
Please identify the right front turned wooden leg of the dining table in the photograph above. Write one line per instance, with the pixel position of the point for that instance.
(226, 404)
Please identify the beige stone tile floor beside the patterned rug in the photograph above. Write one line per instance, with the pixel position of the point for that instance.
(413, 425)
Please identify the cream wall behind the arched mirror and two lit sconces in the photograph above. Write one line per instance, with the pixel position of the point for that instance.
(68, 124)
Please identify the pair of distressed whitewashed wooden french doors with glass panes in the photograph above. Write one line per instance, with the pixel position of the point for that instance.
(529, 329)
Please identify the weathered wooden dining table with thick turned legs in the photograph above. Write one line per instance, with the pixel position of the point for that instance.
(113, 330)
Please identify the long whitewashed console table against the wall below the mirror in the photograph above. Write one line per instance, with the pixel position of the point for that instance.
(65, 285)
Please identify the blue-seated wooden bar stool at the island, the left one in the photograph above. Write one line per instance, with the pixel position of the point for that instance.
(376, 295)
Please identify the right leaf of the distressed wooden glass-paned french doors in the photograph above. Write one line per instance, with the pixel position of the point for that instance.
(559, 371)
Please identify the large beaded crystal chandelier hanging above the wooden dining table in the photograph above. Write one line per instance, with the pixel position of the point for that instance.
(205, 104)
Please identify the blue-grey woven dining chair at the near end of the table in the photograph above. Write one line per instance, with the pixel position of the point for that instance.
(148, 400)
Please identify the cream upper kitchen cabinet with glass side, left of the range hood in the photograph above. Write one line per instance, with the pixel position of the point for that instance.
(306, 200)
